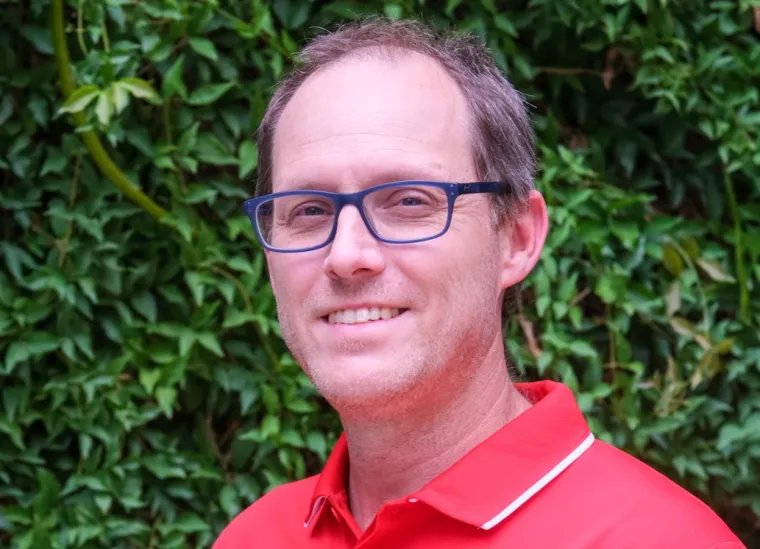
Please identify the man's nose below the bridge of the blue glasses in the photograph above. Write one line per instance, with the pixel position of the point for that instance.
(354, 253)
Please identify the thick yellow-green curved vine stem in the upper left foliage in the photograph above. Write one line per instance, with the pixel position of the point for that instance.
(89, 137)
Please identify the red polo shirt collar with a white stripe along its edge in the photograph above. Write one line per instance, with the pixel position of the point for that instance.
(501, 473)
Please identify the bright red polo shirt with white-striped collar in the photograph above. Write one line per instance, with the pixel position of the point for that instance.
(541, 482)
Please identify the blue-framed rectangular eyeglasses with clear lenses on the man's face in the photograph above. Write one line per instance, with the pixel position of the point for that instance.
(403, 212)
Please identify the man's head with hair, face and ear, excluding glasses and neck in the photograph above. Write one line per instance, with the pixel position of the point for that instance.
(378, 102)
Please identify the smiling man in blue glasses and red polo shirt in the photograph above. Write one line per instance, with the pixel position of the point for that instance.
(390, 297)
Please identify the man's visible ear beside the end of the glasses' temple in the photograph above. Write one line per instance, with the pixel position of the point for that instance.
(523, 240)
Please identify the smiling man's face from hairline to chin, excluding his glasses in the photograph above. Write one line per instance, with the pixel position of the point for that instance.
(357, 124)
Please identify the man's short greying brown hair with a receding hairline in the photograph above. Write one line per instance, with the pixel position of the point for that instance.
(502, 136)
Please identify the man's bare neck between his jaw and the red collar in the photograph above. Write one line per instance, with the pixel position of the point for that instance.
(394, 455)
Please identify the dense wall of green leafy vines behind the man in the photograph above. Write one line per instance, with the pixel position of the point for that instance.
(146, 395)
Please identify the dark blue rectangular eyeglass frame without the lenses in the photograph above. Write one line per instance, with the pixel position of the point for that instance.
(453, 191)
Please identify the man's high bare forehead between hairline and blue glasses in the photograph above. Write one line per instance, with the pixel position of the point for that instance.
(372, 119)
